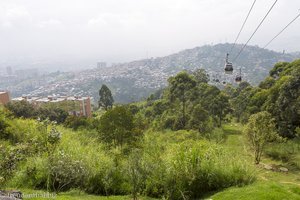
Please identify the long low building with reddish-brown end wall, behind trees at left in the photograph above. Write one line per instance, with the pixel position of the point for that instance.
(74, 105)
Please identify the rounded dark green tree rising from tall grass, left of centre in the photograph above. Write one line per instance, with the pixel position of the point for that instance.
(117, 127)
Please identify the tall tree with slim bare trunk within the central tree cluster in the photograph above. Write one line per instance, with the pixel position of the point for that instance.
(181, 88)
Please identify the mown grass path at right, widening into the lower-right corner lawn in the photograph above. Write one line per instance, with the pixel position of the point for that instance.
(270, 185)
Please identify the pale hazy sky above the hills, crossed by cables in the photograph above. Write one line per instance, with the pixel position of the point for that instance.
(124, 30)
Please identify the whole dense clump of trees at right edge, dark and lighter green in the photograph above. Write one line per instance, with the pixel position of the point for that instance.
(278, 94)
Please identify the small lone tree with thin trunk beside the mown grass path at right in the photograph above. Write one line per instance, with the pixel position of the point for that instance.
(259, 131)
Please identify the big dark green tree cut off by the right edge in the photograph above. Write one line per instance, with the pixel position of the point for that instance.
(283, 98)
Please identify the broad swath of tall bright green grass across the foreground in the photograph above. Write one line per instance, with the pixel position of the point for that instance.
(172, 165)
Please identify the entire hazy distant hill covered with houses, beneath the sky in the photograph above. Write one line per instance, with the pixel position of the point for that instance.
(135, 80)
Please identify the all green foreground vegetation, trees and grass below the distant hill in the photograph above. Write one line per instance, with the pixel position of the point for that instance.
(189, 141)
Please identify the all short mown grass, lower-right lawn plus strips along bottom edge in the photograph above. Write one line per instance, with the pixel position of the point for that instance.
(269, 185)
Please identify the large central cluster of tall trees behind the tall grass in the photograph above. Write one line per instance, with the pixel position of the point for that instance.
(189, 102)
